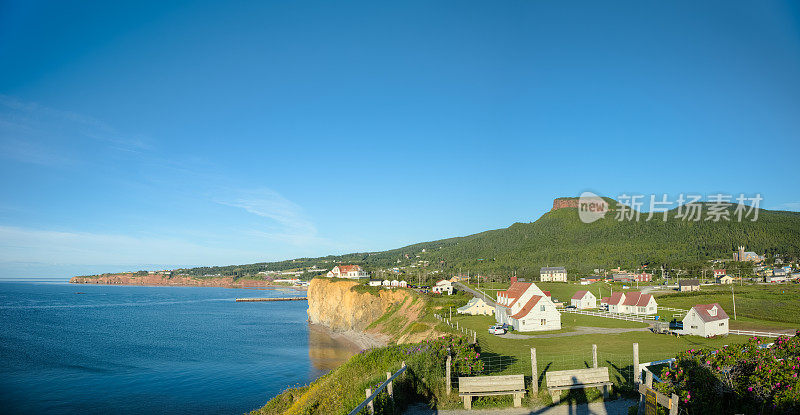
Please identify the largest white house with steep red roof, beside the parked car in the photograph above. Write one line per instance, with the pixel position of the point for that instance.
(526, 308)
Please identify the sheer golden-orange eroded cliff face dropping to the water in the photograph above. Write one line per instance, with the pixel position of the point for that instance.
(333, 304)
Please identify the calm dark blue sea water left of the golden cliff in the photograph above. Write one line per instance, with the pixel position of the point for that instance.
(68, 348)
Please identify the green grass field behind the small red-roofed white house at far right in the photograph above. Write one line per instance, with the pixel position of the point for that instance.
(757, 306)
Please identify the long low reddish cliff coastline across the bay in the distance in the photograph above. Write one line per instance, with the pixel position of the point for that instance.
(129, 278)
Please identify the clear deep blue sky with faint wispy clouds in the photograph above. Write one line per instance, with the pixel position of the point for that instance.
(145, 134)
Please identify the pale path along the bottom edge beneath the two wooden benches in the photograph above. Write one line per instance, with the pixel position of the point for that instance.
(615, 407)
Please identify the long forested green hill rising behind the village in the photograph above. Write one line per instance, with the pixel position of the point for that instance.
(559, 238)
